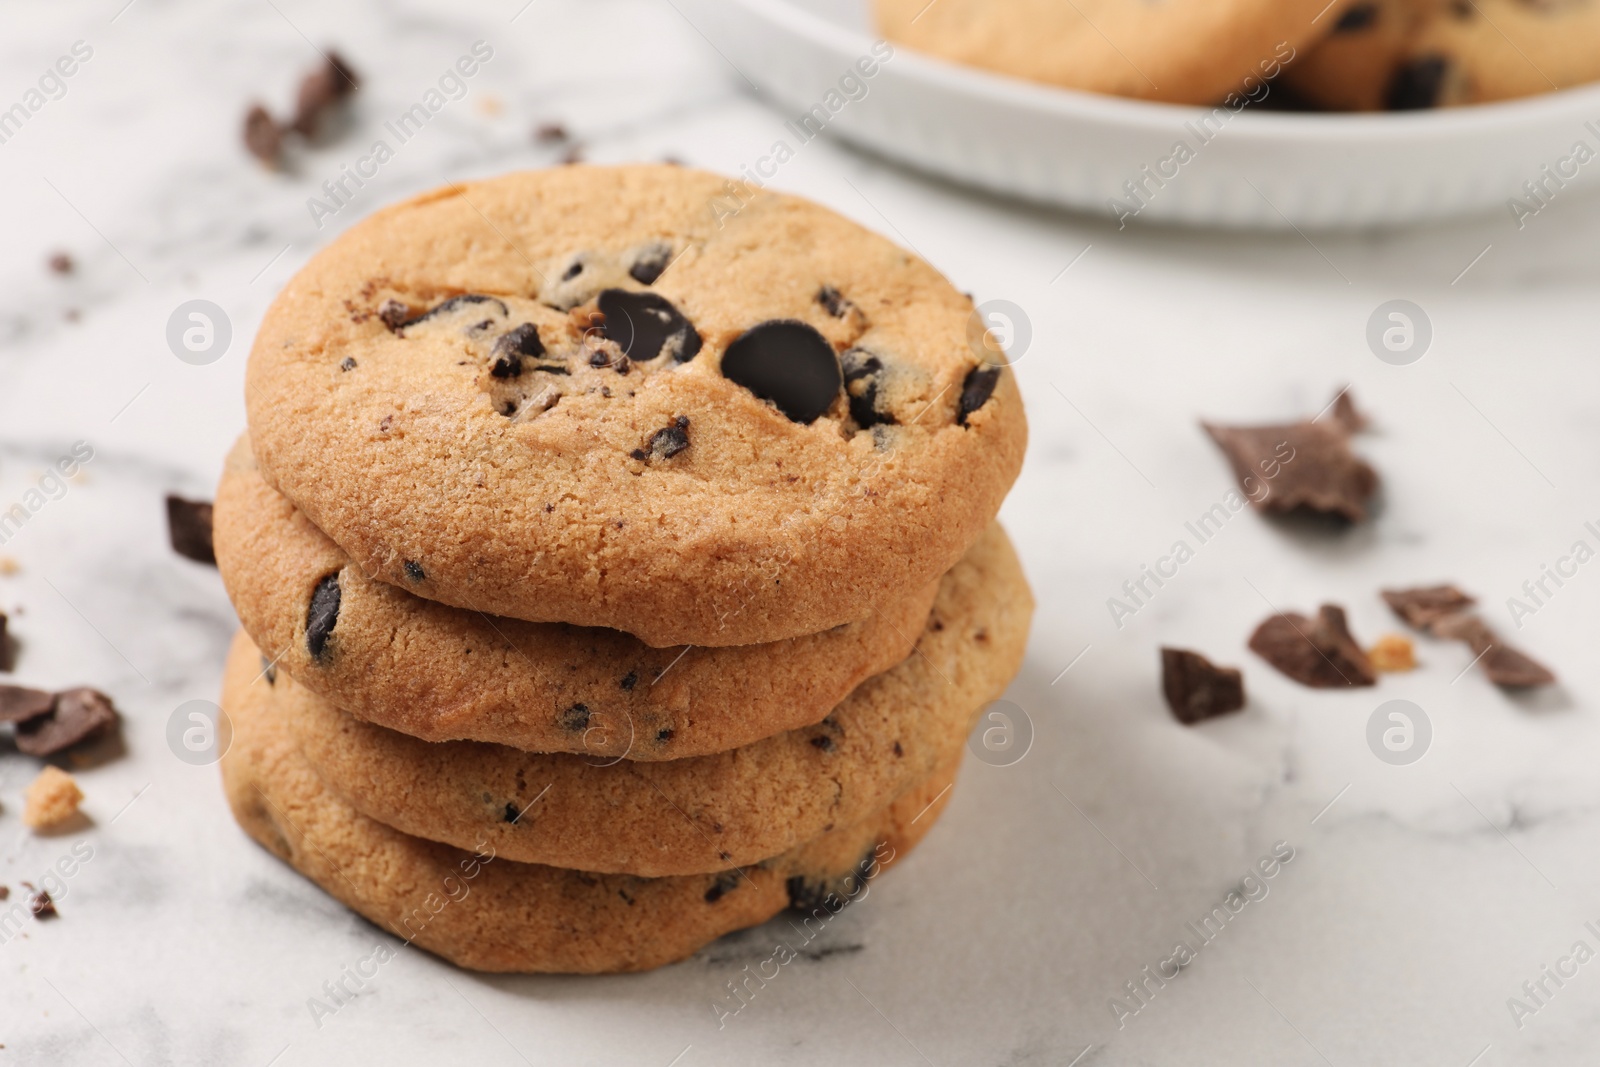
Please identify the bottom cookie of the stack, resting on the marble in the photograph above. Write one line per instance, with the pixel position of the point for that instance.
(492, 914)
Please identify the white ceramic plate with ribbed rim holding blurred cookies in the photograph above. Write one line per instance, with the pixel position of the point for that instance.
(1079, 150)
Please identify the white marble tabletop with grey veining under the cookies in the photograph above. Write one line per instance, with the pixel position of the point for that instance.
(1418, 898)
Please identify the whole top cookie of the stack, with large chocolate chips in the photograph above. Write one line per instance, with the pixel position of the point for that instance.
(634, 398)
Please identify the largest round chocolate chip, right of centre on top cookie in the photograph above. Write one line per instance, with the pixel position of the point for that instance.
(790, 364)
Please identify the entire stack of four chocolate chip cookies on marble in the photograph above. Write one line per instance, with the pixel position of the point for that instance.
(617, 562)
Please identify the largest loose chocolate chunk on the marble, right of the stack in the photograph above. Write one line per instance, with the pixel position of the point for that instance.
(1302, 466)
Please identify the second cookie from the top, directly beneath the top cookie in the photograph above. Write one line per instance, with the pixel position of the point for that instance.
(446, 674)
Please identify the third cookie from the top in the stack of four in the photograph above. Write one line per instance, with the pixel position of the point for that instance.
(700, 815)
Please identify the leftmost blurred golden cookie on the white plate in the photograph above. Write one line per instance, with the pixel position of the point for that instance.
(1183, 52)
